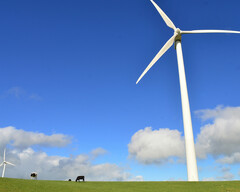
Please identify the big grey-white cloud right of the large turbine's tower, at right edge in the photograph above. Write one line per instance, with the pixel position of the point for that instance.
(220, 138)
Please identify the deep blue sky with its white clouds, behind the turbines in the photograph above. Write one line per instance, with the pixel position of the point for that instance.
(68, 71)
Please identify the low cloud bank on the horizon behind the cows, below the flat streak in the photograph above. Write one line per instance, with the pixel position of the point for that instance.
(62, 168)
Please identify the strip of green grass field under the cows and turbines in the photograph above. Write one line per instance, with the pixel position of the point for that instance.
(22, 185)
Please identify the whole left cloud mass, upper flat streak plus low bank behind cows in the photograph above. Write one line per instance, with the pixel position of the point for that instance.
(50, 167)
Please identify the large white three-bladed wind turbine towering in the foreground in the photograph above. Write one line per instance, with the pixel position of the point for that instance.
(189, 141)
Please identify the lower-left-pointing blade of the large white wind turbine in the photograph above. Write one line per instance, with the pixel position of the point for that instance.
(159, 54)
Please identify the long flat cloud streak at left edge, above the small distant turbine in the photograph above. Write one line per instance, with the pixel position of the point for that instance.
(24, 139)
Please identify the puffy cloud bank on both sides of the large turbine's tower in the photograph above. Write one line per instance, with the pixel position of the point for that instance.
(220, 139)
